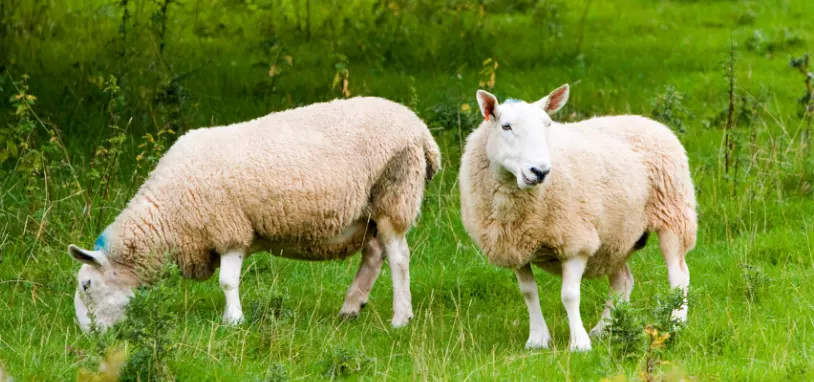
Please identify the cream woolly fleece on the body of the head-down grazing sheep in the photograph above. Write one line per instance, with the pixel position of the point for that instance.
(294, 178)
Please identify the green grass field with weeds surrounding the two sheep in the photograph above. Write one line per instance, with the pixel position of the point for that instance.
(84, 145)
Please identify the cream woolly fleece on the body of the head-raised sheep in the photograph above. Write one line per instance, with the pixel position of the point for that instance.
(612, 179)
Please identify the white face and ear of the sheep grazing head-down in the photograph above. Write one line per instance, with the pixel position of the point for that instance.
(103, 290)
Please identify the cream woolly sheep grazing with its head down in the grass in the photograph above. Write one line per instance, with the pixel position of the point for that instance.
(318, 182)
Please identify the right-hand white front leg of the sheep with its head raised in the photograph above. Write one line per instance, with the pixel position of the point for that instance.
(572, 270)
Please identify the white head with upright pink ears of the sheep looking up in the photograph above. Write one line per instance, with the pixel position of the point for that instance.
(518, 138)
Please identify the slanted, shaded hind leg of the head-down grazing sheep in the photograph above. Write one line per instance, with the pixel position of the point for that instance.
(359, 290)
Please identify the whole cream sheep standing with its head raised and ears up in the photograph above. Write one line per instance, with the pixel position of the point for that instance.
(576, 200)
